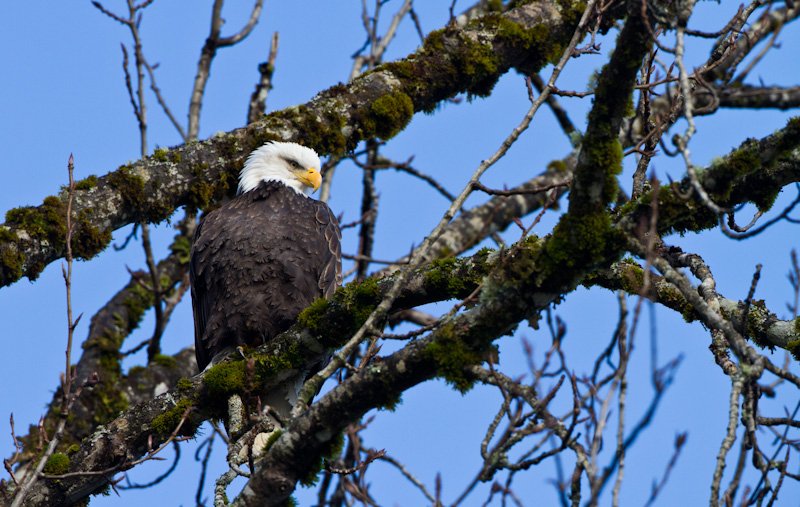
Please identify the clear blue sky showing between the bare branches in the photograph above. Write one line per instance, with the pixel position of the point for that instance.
(62, 92)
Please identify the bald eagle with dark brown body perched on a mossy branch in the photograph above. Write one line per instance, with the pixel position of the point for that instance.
(260, 259)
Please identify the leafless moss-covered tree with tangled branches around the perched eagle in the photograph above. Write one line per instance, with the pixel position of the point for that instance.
(644, 104)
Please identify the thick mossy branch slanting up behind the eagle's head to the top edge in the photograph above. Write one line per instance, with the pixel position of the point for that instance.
(378, 103)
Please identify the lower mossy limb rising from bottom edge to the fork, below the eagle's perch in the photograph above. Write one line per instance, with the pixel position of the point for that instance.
(447, 352)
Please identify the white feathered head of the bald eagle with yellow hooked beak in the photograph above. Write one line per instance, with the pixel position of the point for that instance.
(293, 165)
